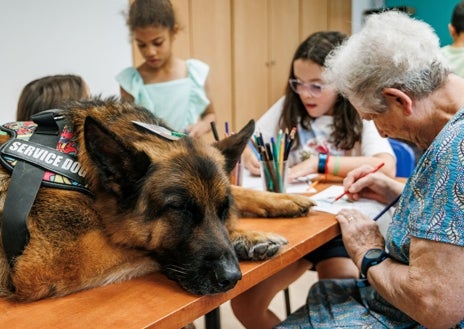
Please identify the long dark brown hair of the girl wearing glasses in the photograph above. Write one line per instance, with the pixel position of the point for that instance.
(347, 123)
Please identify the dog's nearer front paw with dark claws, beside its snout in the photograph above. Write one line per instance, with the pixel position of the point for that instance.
(253, 245)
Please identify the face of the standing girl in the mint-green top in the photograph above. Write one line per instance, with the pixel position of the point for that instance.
(155, 45)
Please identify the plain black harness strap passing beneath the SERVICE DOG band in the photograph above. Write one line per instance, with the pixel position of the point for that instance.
(24, 185)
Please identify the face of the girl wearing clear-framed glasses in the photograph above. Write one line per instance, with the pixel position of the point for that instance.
(316, 103)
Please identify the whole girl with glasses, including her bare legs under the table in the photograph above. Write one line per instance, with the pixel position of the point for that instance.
(331, 138)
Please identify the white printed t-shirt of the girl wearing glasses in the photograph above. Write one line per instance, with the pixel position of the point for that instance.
(371, 141)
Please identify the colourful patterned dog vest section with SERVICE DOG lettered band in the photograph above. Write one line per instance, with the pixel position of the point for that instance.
(62, 170)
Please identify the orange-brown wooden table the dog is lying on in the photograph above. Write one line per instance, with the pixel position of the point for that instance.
(153, 301)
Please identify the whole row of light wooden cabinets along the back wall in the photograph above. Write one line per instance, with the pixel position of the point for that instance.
(249, 45)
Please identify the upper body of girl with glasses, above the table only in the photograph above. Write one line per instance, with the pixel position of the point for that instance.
(326, 122)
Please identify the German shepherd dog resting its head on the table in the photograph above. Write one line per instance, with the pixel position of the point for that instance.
(155, 205)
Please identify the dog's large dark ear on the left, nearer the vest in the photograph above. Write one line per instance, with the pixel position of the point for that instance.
(118, 166)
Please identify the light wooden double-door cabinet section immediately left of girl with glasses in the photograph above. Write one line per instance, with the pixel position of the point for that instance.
(265, 34)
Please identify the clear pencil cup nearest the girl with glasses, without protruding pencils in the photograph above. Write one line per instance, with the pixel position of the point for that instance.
(274, 176)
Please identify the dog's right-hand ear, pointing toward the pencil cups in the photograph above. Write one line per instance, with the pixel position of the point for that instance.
(233, 146)
